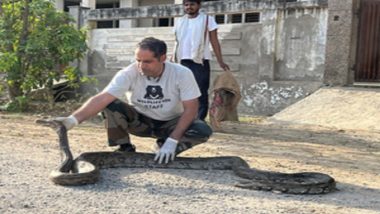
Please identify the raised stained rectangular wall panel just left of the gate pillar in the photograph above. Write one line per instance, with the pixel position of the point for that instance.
(302, 40)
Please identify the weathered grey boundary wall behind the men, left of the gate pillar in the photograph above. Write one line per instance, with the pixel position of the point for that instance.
(277, 61)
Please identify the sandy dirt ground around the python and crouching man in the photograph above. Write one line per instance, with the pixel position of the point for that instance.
(29, 152)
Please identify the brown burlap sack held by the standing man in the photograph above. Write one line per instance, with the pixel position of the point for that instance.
(226, 97)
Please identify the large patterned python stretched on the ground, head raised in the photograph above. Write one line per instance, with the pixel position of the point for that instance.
(85, 168)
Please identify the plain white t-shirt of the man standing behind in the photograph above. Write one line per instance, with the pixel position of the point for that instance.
(186, 42)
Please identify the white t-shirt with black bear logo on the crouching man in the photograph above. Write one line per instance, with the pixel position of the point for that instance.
(158, 99)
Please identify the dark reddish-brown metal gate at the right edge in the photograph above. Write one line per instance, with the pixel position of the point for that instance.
(368, 51)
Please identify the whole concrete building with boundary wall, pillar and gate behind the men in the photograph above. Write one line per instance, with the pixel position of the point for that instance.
(279, 50)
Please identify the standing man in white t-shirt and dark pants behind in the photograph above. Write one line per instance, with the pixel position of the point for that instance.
(193, 32)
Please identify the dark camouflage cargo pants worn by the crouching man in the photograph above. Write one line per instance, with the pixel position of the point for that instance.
(122, 119)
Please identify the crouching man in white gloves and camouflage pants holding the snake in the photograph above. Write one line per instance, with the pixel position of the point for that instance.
(163, 104)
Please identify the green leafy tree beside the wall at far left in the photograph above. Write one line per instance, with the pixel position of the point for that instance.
(37, 43)
